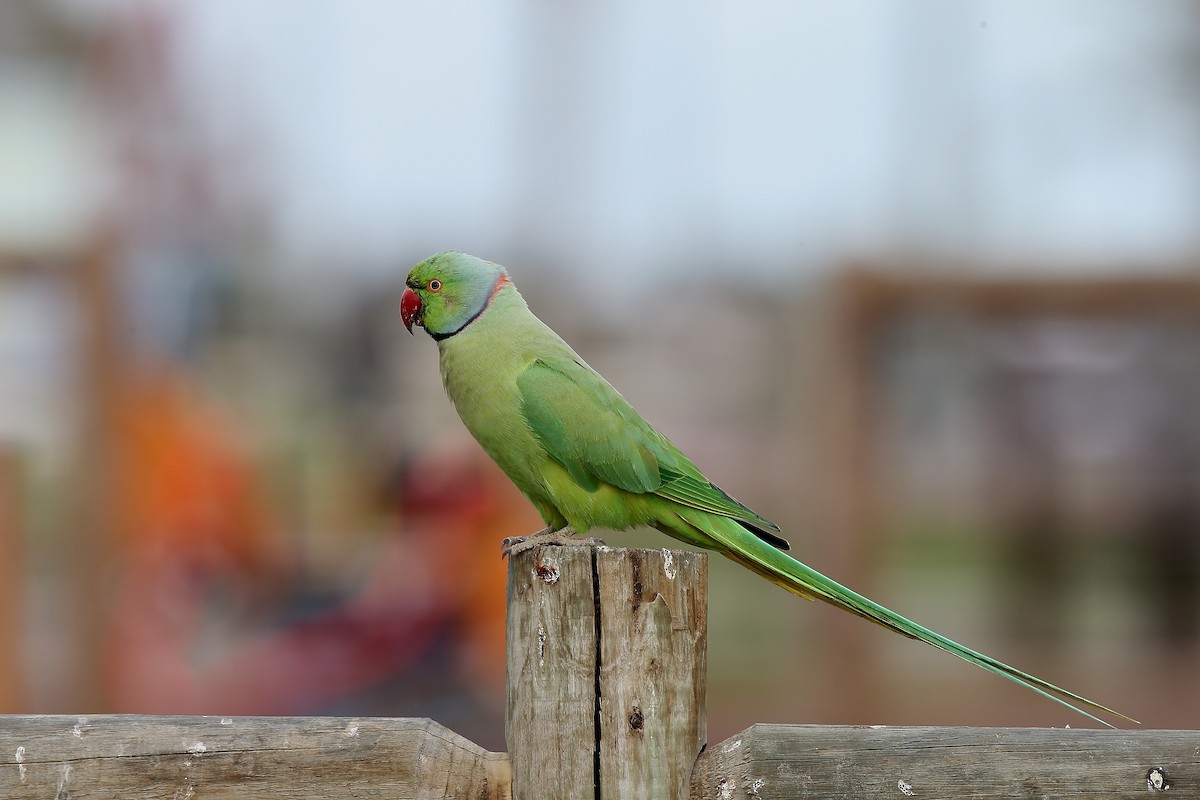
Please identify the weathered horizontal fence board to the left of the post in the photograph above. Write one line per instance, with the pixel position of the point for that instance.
(128, 757)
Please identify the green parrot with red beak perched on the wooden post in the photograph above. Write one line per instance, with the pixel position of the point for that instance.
(581, 454)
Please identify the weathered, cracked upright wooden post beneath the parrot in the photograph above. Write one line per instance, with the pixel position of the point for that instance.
(607, 672)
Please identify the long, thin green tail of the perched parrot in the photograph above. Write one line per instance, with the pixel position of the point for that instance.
(777, 567)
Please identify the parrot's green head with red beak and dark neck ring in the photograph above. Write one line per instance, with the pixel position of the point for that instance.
(447, 292)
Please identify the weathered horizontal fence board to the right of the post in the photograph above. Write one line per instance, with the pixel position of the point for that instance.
(770, 762)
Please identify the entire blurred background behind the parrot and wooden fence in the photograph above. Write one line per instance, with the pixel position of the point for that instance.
(919, 281)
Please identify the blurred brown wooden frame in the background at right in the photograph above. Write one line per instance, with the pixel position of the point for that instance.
(862, 306)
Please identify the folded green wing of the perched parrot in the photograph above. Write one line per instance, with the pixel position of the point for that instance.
(597, 436)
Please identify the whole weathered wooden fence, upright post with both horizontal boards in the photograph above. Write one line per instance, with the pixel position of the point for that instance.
(605, 701)
